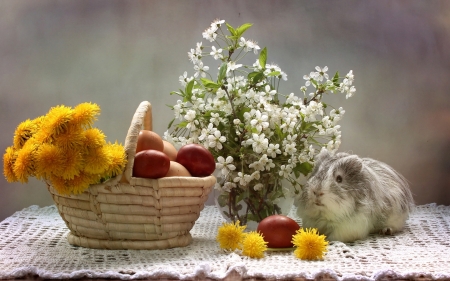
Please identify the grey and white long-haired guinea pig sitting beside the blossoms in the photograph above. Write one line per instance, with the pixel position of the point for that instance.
(347, 197)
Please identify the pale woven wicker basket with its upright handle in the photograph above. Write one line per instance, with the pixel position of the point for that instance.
(135, 213)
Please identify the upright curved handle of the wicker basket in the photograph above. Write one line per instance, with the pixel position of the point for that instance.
(142, 119)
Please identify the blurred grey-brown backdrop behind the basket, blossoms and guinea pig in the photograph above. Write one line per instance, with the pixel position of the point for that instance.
(119, 53)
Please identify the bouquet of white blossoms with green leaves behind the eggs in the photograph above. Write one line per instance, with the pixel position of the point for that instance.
(262, 140)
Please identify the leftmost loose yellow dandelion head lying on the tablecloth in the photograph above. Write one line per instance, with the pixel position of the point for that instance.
(230, 236)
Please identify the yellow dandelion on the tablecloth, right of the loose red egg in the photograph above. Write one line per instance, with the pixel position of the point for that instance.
(310, 245)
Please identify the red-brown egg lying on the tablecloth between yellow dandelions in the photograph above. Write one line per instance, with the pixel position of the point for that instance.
(278, 230)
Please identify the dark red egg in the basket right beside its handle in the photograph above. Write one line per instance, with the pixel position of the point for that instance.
(151, 164)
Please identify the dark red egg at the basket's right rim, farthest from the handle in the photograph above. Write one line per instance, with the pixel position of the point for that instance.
(196, 159)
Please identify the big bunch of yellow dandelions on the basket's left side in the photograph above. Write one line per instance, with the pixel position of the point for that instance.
(62, 148)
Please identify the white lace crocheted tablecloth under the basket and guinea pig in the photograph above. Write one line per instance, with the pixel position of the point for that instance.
(33, 243)
